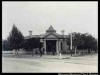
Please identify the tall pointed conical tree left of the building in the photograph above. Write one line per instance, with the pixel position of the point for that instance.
(15, 39)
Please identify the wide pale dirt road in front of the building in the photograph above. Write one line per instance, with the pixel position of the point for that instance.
(48, 63)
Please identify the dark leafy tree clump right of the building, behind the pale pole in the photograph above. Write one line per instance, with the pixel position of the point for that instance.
(83, 41)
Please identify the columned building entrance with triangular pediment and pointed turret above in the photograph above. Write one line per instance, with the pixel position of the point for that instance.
(52, 41)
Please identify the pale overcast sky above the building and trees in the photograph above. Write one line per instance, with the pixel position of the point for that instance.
(38, 16)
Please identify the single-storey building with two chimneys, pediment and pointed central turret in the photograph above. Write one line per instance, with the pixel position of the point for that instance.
(52, 40)
